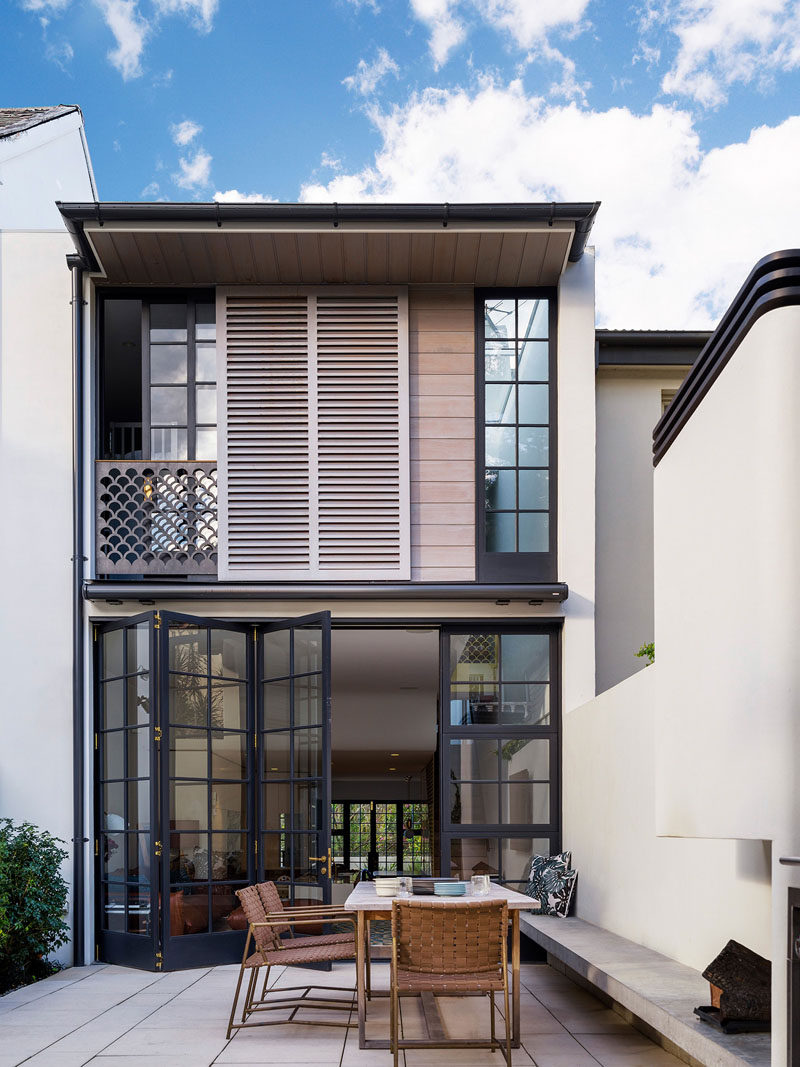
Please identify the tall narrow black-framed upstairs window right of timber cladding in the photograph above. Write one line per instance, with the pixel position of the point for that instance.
(517, 537)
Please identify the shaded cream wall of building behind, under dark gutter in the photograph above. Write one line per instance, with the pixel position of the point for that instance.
(629, 403)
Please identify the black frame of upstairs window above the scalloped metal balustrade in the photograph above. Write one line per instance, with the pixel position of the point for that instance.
(148, 297)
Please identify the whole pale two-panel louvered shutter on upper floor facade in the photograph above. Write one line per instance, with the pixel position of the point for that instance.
(314, 427)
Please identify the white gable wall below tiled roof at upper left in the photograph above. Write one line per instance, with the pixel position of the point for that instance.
(40, 166)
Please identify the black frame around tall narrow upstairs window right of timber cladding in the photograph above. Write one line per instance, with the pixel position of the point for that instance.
(492, 567)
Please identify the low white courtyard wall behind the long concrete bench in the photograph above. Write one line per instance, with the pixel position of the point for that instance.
(685, 899)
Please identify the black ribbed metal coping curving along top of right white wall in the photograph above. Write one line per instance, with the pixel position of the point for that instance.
(775, 282)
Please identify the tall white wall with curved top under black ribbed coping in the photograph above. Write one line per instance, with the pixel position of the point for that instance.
(728, 615)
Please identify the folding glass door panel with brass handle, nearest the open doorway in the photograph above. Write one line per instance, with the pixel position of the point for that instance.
(295, 758)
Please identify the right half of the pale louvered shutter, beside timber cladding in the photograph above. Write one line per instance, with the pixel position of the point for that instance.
(361, 447)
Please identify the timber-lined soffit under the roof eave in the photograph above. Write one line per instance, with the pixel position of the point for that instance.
(228, 257)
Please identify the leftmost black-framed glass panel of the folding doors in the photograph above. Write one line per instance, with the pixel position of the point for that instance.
(125, 815)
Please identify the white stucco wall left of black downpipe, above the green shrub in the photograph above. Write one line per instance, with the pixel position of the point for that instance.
(36, 535)
